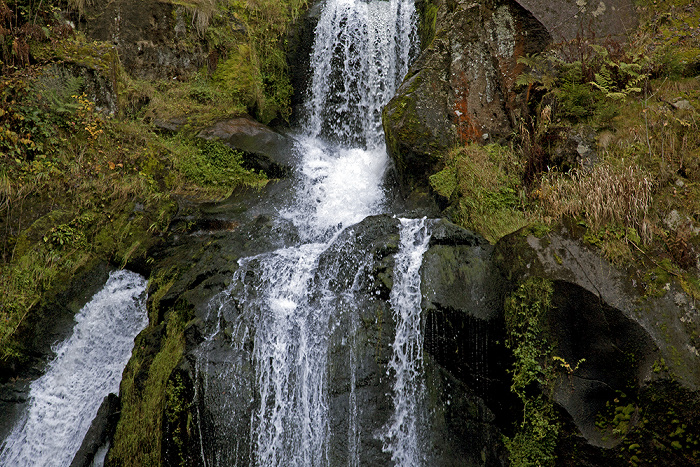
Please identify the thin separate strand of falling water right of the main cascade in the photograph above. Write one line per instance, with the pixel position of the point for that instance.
(403, 436)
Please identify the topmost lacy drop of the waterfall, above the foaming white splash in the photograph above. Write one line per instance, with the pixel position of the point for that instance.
(361, 53)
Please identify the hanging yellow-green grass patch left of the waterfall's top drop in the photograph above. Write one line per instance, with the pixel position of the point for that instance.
(247, 70)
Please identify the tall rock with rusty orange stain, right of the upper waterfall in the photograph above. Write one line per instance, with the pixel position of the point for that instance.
(461, 88)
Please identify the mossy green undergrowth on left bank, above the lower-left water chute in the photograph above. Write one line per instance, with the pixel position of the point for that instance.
(78, 185)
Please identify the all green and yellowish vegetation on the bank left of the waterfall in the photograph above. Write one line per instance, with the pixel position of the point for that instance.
(83, 173)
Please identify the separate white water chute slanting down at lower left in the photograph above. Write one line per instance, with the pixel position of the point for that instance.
(88, 366)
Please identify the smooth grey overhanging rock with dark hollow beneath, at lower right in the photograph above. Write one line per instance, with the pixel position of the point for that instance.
(600, 316)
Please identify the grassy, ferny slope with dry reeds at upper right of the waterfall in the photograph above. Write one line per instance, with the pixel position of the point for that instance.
(638, 196)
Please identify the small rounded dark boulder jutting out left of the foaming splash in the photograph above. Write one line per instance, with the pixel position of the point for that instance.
(264, 148)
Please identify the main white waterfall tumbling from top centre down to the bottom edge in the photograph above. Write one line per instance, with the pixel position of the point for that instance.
(361, 52)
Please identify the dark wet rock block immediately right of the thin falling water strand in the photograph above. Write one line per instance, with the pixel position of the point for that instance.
(463, 296)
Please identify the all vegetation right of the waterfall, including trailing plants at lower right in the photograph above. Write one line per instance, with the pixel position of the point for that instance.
(635, 195)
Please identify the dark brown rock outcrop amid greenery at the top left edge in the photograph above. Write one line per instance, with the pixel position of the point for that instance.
(154, 39)
